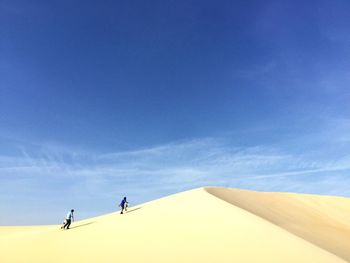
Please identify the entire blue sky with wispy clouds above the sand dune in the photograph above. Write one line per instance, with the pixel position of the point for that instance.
(147, 98)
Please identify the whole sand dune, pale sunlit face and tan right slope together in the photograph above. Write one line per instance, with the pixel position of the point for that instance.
(193, 226)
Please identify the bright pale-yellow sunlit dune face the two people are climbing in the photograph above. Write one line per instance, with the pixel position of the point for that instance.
(192, 226)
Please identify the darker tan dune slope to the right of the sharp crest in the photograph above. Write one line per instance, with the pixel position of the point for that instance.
(322, 220)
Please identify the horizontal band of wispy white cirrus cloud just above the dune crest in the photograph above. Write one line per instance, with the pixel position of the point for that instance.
(208, 158)
